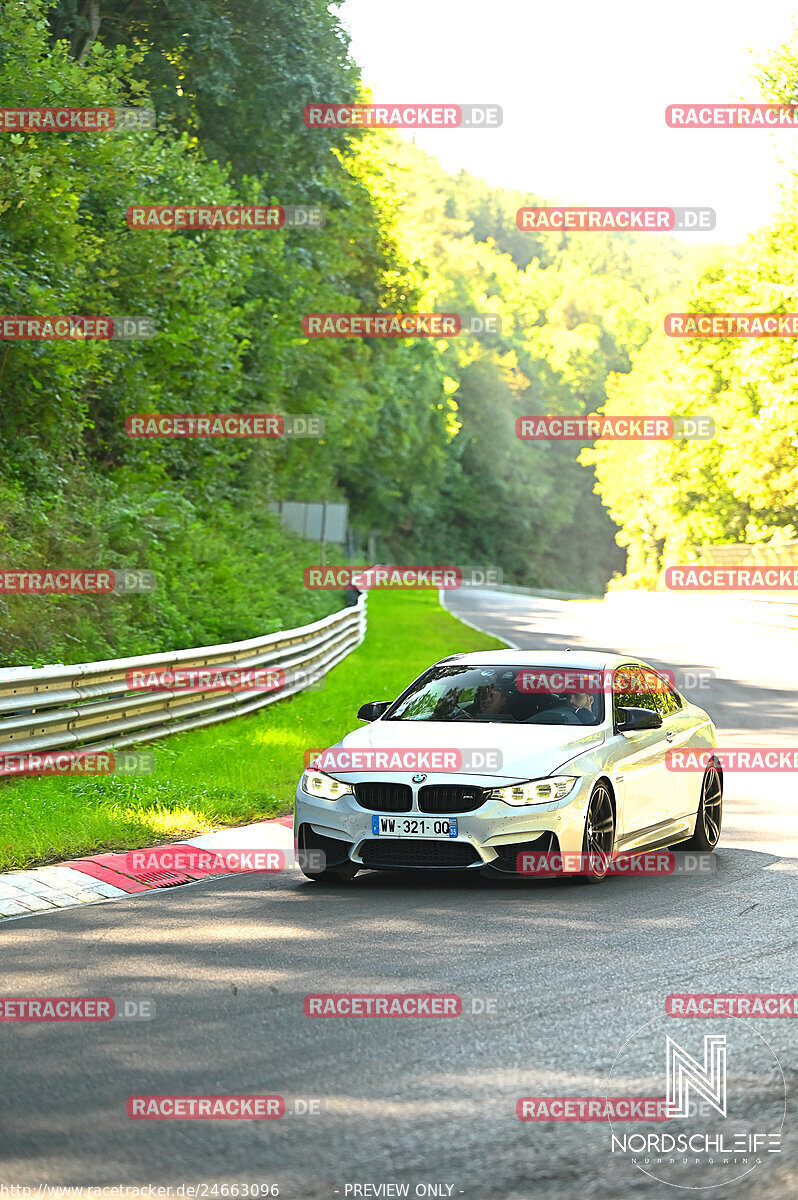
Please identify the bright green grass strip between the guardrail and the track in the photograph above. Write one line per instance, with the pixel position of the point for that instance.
(241, 771)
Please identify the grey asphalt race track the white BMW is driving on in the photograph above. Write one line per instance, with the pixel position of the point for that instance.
(571, 971)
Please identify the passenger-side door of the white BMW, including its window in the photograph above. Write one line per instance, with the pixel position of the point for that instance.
(640, 757)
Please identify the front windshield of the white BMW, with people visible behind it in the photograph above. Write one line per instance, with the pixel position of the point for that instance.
(515, 695)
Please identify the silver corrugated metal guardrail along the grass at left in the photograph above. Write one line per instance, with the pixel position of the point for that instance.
(92, 705)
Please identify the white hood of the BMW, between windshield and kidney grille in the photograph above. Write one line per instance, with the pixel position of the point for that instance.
(527, 752)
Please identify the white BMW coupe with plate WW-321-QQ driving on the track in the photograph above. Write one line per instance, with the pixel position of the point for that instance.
(488, 757)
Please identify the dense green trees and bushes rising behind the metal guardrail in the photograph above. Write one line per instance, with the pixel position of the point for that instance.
(421, 435)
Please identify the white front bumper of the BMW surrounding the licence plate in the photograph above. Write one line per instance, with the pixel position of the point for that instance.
(487, 837)
